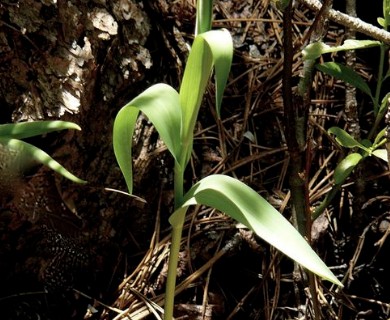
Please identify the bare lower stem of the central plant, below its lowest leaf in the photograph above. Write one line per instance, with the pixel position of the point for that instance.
(172, 270)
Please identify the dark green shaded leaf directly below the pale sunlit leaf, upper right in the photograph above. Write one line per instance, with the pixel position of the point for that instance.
(346, 74)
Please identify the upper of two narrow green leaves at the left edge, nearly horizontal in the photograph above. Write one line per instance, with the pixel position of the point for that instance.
(30, 129)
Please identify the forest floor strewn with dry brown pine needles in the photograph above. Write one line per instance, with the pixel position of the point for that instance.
(251, 280)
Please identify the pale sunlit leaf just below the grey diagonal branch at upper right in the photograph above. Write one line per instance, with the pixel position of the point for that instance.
(316, 49)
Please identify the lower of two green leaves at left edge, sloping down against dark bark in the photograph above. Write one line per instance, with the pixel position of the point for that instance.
(27, 154)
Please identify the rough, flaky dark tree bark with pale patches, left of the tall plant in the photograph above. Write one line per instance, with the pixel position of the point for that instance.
(78, 61)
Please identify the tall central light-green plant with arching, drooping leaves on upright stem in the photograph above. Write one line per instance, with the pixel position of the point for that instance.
(174, 115)
